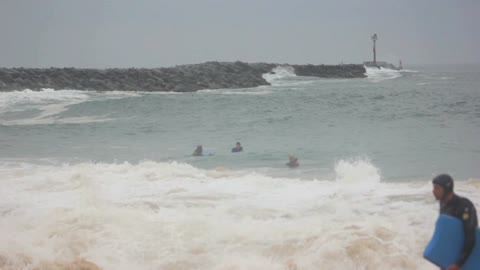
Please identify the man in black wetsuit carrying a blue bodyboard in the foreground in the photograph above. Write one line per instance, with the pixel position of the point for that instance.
(462, 208)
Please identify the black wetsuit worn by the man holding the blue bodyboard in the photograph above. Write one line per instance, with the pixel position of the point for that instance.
(463, 209)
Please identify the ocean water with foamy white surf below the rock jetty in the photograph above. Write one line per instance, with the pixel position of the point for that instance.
(109, 178)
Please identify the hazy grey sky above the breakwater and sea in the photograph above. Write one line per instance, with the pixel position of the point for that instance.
(121, 33)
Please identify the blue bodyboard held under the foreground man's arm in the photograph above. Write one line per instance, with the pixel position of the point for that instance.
(446, 244)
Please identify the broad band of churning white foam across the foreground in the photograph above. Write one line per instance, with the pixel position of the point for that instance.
(174, 216)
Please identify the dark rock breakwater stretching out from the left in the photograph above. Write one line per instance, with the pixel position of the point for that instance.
(184, 78)
